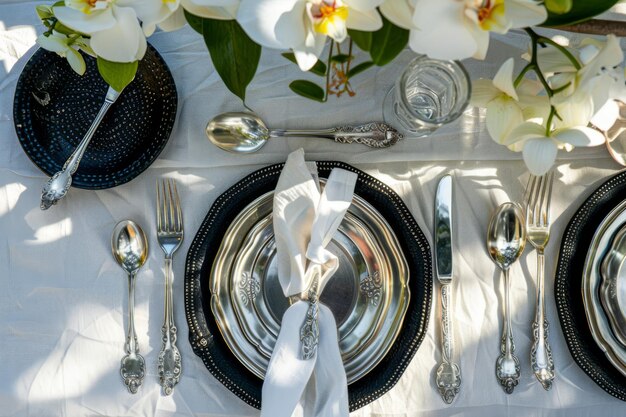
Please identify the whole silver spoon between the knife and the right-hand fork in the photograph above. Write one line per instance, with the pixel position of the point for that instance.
(506, 238)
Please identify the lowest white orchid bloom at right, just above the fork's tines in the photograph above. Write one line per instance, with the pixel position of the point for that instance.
(539, 149)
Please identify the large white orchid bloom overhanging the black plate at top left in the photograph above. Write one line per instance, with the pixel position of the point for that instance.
(112, 25)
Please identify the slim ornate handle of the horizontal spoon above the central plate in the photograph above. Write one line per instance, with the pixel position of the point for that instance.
(375, 135)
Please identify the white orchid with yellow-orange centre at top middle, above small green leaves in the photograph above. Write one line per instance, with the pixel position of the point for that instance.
(304, 25)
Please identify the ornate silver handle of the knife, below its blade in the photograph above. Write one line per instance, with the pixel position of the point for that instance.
(448, 374)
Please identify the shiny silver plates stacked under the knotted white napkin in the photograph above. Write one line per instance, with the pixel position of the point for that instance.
(368, 294)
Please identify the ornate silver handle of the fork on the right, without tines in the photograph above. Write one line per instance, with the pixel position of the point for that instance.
(540, 354)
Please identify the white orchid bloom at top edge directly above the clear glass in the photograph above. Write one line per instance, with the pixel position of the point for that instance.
(459, 29)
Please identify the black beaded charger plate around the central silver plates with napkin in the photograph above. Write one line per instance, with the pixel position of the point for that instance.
(204, 333)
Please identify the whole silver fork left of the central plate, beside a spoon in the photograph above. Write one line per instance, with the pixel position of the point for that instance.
(170, 235)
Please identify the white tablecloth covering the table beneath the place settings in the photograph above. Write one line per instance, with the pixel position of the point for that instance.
(63, 298)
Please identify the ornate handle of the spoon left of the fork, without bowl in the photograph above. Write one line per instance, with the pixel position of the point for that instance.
(133, 367)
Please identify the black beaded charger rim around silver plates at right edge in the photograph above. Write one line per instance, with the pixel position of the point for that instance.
(568, 286)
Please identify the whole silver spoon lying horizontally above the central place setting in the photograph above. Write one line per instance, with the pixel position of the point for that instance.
(246, 133)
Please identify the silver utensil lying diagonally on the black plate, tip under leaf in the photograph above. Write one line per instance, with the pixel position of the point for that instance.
(58, 185)
